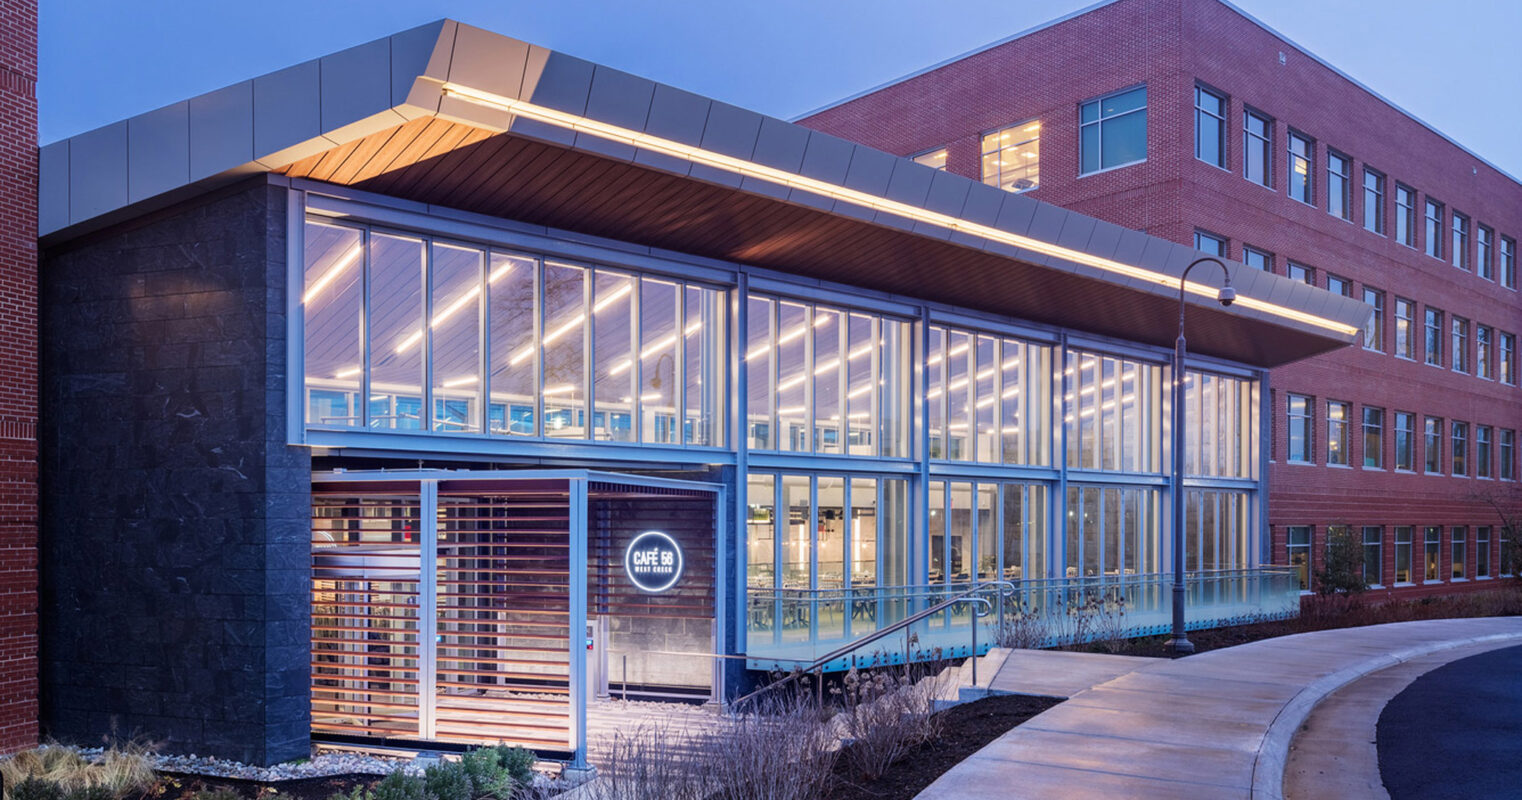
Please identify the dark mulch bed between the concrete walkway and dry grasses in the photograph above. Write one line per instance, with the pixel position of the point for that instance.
(966, 731)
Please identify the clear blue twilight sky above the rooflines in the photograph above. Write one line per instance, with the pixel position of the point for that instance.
(1453, 65)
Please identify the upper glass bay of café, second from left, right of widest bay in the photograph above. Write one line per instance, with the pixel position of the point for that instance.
(826, 381)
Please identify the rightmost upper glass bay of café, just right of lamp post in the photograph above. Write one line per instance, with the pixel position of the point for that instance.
(1221, 419)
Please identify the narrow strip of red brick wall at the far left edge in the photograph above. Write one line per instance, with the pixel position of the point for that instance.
(18, 375)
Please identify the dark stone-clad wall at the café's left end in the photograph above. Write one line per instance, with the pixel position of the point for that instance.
(176, 527)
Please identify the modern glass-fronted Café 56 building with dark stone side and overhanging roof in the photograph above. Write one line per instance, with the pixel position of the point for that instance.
(431, 390)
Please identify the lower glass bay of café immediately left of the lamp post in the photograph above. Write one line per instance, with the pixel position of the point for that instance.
(1112, 532)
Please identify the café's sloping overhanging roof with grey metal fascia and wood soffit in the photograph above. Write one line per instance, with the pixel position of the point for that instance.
(462, 118)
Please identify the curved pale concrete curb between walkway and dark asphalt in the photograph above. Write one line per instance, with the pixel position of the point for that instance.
(1273, 757)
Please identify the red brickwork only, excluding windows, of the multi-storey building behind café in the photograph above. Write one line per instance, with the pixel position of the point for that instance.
(1171, 45)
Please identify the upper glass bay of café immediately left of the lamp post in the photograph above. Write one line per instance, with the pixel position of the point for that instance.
(1113, 413)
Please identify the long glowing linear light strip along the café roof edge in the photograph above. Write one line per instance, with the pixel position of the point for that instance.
(862, 198)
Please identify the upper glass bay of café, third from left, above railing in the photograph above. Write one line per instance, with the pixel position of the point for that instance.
(989, 399)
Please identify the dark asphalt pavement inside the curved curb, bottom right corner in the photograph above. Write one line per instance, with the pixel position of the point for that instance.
(1456, 732)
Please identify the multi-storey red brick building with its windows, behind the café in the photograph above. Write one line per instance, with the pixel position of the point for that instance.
(1247, 147)
